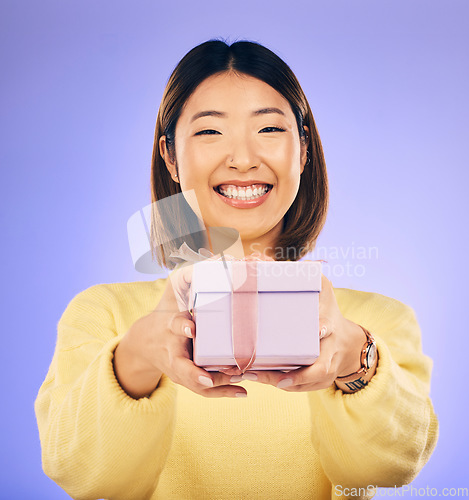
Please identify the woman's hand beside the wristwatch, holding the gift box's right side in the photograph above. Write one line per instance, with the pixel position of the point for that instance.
(340, 346)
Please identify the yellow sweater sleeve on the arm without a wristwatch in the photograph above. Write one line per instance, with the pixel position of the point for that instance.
(98, 442)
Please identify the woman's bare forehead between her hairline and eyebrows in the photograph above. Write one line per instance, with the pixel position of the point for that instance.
(237, 92)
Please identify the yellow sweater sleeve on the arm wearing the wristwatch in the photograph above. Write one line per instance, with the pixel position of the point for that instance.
(385, 433)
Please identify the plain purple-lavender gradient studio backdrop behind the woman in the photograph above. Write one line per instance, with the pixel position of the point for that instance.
(81, 84)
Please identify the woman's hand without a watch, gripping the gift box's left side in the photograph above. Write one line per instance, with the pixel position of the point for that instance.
(161, 343)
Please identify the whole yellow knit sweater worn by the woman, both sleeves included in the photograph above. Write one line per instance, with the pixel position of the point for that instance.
(98, 442)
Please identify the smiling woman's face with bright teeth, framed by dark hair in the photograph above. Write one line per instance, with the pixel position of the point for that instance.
(236, 130)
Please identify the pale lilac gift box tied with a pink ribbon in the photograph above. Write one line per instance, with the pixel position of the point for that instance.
(258, 315)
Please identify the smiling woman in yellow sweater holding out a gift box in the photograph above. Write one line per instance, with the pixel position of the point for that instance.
(120, 413)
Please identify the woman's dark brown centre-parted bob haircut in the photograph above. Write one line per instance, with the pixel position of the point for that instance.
(306, 216)
